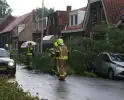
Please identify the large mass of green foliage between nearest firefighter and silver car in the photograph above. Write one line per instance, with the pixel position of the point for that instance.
(84, 49)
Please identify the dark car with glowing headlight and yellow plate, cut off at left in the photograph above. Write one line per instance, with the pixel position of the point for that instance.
(7, 64)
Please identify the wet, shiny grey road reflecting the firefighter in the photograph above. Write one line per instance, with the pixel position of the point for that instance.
(74, 88)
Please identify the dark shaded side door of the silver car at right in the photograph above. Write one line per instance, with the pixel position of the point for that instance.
(105, 64)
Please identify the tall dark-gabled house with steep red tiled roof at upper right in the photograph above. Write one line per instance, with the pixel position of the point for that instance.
(101, 10)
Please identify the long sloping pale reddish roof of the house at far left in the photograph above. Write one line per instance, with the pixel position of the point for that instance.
(16, 22)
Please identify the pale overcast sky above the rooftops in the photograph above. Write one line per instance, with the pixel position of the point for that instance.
(24, 6)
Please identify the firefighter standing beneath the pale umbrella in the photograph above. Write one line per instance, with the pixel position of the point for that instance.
(29, 54)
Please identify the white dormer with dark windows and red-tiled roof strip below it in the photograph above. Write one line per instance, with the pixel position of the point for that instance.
(76, 18)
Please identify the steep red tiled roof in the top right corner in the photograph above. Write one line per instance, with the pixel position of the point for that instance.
(113, 9)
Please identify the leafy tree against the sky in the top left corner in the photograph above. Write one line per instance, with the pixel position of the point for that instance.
(4, 8)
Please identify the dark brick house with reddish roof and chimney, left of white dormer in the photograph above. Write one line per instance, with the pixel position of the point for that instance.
(57, 22)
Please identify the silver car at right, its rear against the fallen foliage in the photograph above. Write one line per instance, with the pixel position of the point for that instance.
(109, 64)
